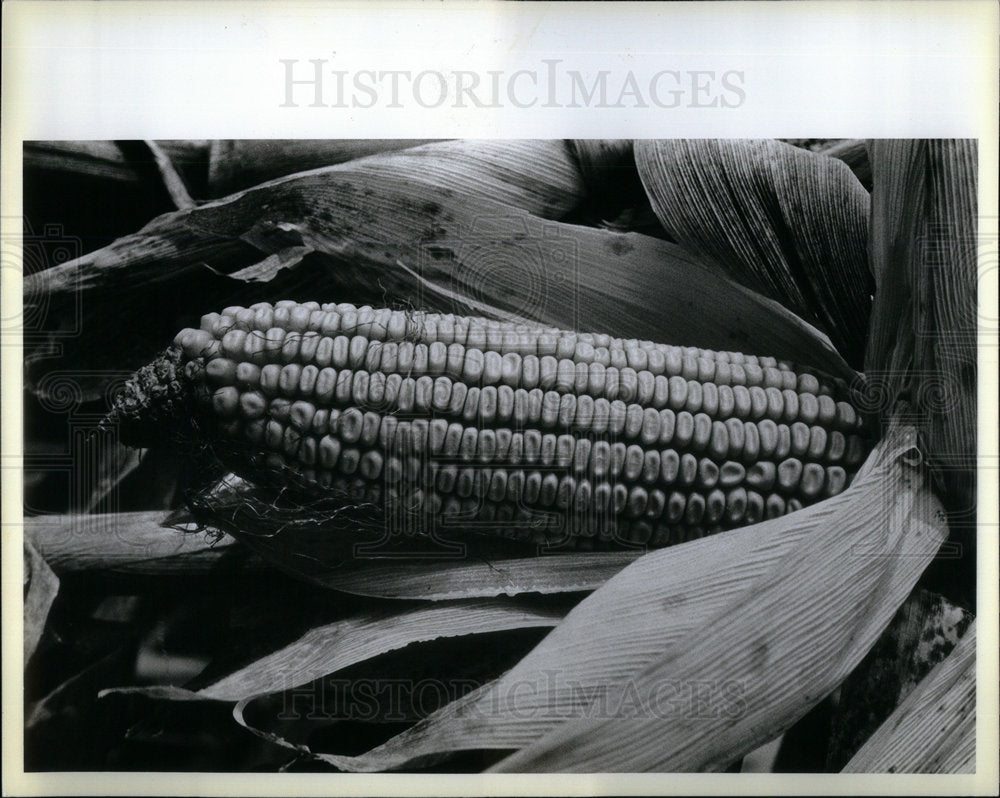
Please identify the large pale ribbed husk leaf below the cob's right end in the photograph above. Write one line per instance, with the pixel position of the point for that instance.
(717, 603)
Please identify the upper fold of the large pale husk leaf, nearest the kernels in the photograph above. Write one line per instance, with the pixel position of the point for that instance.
(651, 607)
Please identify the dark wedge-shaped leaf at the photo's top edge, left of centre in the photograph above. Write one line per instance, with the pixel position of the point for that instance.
(236, 164)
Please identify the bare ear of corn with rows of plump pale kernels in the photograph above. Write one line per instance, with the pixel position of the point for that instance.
(500, 427)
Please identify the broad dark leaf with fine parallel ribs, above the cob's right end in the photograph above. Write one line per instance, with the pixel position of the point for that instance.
(782, 220)
